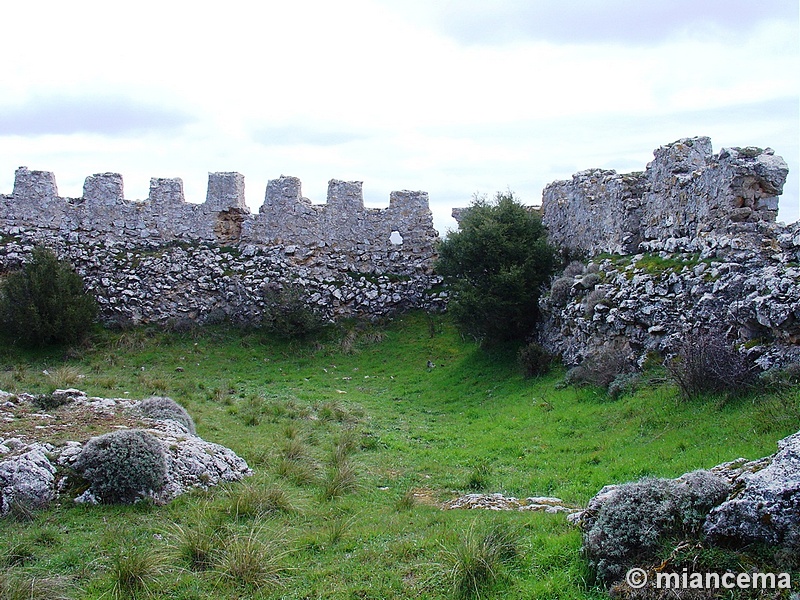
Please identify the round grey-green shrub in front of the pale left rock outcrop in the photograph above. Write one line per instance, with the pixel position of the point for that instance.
(123, 466)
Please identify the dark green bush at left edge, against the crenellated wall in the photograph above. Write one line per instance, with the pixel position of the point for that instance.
(45, 302)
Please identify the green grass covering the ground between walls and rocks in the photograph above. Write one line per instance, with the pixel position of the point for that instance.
(351, 444)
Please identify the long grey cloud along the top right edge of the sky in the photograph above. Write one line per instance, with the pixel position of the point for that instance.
(605, 21)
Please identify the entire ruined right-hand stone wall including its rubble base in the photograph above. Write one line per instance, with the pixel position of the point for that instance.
(694, 246)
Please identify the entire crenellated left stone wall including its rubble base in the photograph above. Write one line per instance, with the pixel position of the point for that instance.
(164, 259)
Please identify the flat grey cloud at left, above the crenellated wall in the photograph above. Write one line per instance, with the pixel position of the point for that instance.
(105, 115)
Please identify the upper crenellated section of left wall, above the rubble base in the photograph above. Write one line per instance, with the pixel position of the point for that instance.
(286, 217)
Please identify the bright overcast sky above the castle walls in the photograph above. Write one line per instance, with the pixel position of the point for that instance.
(454, 97)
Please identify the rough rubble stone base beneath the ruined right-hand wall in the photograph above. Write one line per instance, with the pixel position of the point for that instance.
(651, 301)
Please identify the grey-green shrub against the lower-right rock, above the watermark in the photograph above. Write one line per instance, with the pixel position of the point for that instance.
(635, 519)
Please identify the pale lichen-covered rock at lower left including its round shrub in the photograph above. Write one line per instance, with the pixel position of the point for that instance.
(33, 474)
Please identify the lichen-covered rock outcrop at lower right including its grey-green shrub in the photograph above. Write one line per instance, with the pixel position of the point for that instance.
(733, 504)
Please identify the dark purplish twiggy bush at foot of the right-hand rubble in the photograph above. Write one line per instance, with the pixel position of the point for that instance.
(708, 363)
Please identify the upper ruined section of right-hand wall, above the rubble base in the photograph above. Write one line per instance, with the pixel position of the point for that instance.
(686, 198)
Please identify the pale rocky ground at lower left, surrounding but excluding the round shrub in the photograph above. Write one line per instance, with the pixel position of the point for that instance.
(42, 436)
